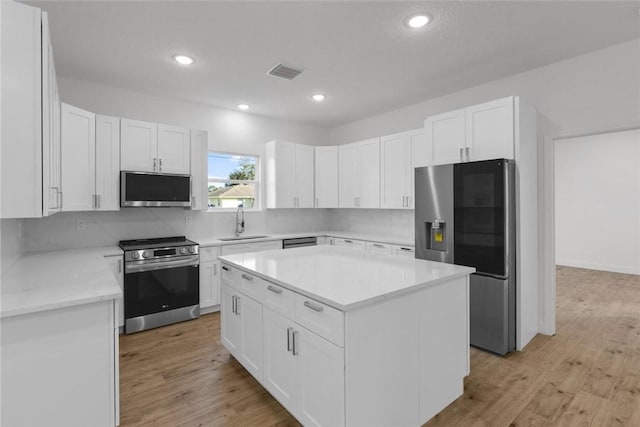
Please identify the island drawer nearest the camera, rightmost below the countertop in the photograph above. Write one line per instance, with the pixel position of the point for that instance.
(320, 318)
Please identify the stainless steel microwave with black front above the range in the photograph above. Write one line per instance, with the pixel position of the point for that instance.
(147, 189)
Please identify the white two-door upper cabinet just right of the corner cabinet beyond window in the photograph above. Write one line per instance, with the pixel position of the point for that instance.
(359, 174)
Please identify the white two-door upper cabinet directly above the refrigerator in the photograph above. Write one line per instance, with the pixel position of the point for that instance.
(479, 132)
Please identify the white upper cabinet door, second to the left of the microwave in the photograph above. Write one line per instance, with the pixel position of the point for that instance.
(78, 142)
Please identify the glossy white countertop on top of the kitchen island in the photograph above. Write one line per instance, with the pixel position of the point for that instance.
(342, 277)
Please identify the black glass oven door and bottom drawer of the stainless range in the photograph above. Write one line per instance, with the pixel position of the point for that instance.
(152, 289)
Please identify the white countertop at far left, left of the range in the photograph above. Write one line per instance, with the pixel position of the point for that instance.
(49, 280)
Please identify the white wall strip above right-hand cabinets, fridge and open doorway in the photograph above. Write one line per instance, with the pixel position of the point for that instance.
(598, 90)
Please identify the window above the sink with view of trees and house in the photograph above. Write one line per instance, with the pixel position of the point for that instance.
(233, 181)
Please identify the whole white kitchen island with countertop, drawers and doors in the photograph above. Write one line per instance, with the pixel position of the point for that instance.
(343, 337)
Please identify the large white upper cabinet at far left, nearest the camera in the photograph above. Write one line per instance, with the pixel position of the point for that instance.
(30, 104)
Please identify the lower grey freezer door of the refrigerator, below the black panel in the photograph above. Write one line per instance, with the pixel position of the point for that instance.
(492, 313)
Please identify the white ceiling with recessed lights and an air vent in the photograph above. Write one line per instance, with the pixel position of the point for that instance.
(360, 54)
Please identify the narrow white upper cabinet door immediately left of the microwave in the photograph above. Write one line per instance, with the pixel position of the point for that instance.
(107, 163)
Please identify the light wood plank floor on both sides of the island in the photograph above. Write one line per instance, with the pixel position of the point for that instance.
(588, 374)
